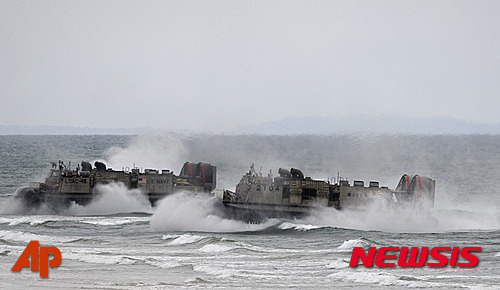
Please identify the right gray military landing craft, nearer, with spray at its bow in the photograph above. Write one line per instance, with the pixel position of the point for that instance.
(291, 194)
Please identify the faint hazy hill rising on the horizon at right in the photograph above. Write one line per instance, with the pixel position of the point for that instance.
(369, 125)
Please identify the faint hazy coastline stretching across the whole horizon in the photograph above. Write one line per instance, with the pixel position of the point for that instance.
(292, 126)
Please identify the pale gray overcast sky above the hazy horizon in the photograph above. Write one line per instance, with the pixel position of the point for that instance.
(218, 65)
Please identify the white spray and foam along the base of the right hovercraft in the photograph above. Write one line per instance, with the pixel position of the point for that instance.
(188, 212)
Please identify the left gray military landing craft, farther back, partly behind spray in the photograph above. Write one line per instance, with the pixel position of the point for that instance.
(64, 185)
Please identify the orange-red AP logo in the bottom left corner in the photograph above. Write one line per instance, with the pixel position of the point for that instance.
(39, 258)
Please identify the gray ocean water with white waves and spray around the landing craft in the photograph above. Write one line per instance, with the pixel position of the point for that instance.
(120, 242)
